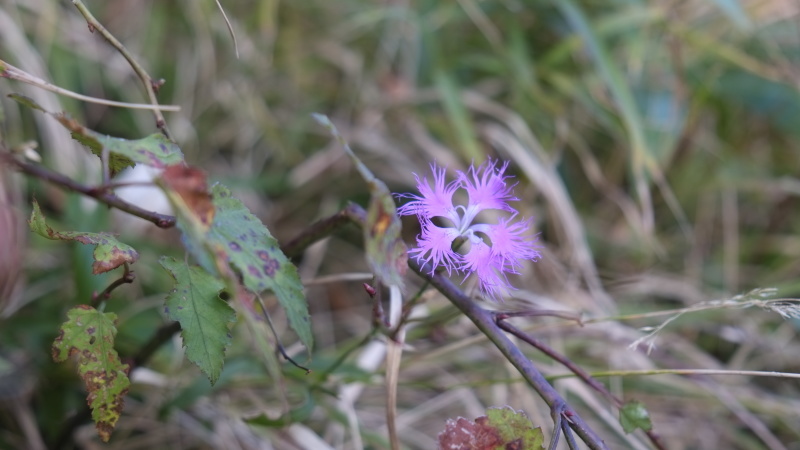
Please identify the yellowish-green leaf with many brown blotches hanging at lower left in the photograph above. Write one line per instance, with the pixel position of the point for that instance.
(89, 334)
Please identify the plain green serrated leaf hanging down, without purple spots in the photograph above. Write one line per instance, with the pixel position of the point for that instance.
(204, 317)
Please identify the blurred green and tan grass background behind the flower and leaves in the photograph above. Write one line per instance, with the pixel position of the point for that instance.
(655, 142)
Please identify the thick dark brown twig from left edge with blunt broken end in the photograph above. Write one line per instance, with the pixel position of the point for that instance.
(38, 171)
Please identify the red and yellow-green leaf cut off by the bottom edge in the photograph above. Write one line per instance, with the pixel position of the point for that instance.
(501, 428)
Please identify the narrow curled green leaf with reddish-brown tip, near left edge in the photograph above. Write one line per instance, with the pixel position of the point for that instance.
(109, 253)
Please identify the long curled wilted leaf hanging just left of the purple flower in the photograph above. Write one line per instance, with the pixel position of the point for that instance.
(386, 252)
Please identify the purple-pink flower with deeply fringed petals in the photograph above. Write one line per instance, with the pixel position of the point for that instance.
(490, 251)
